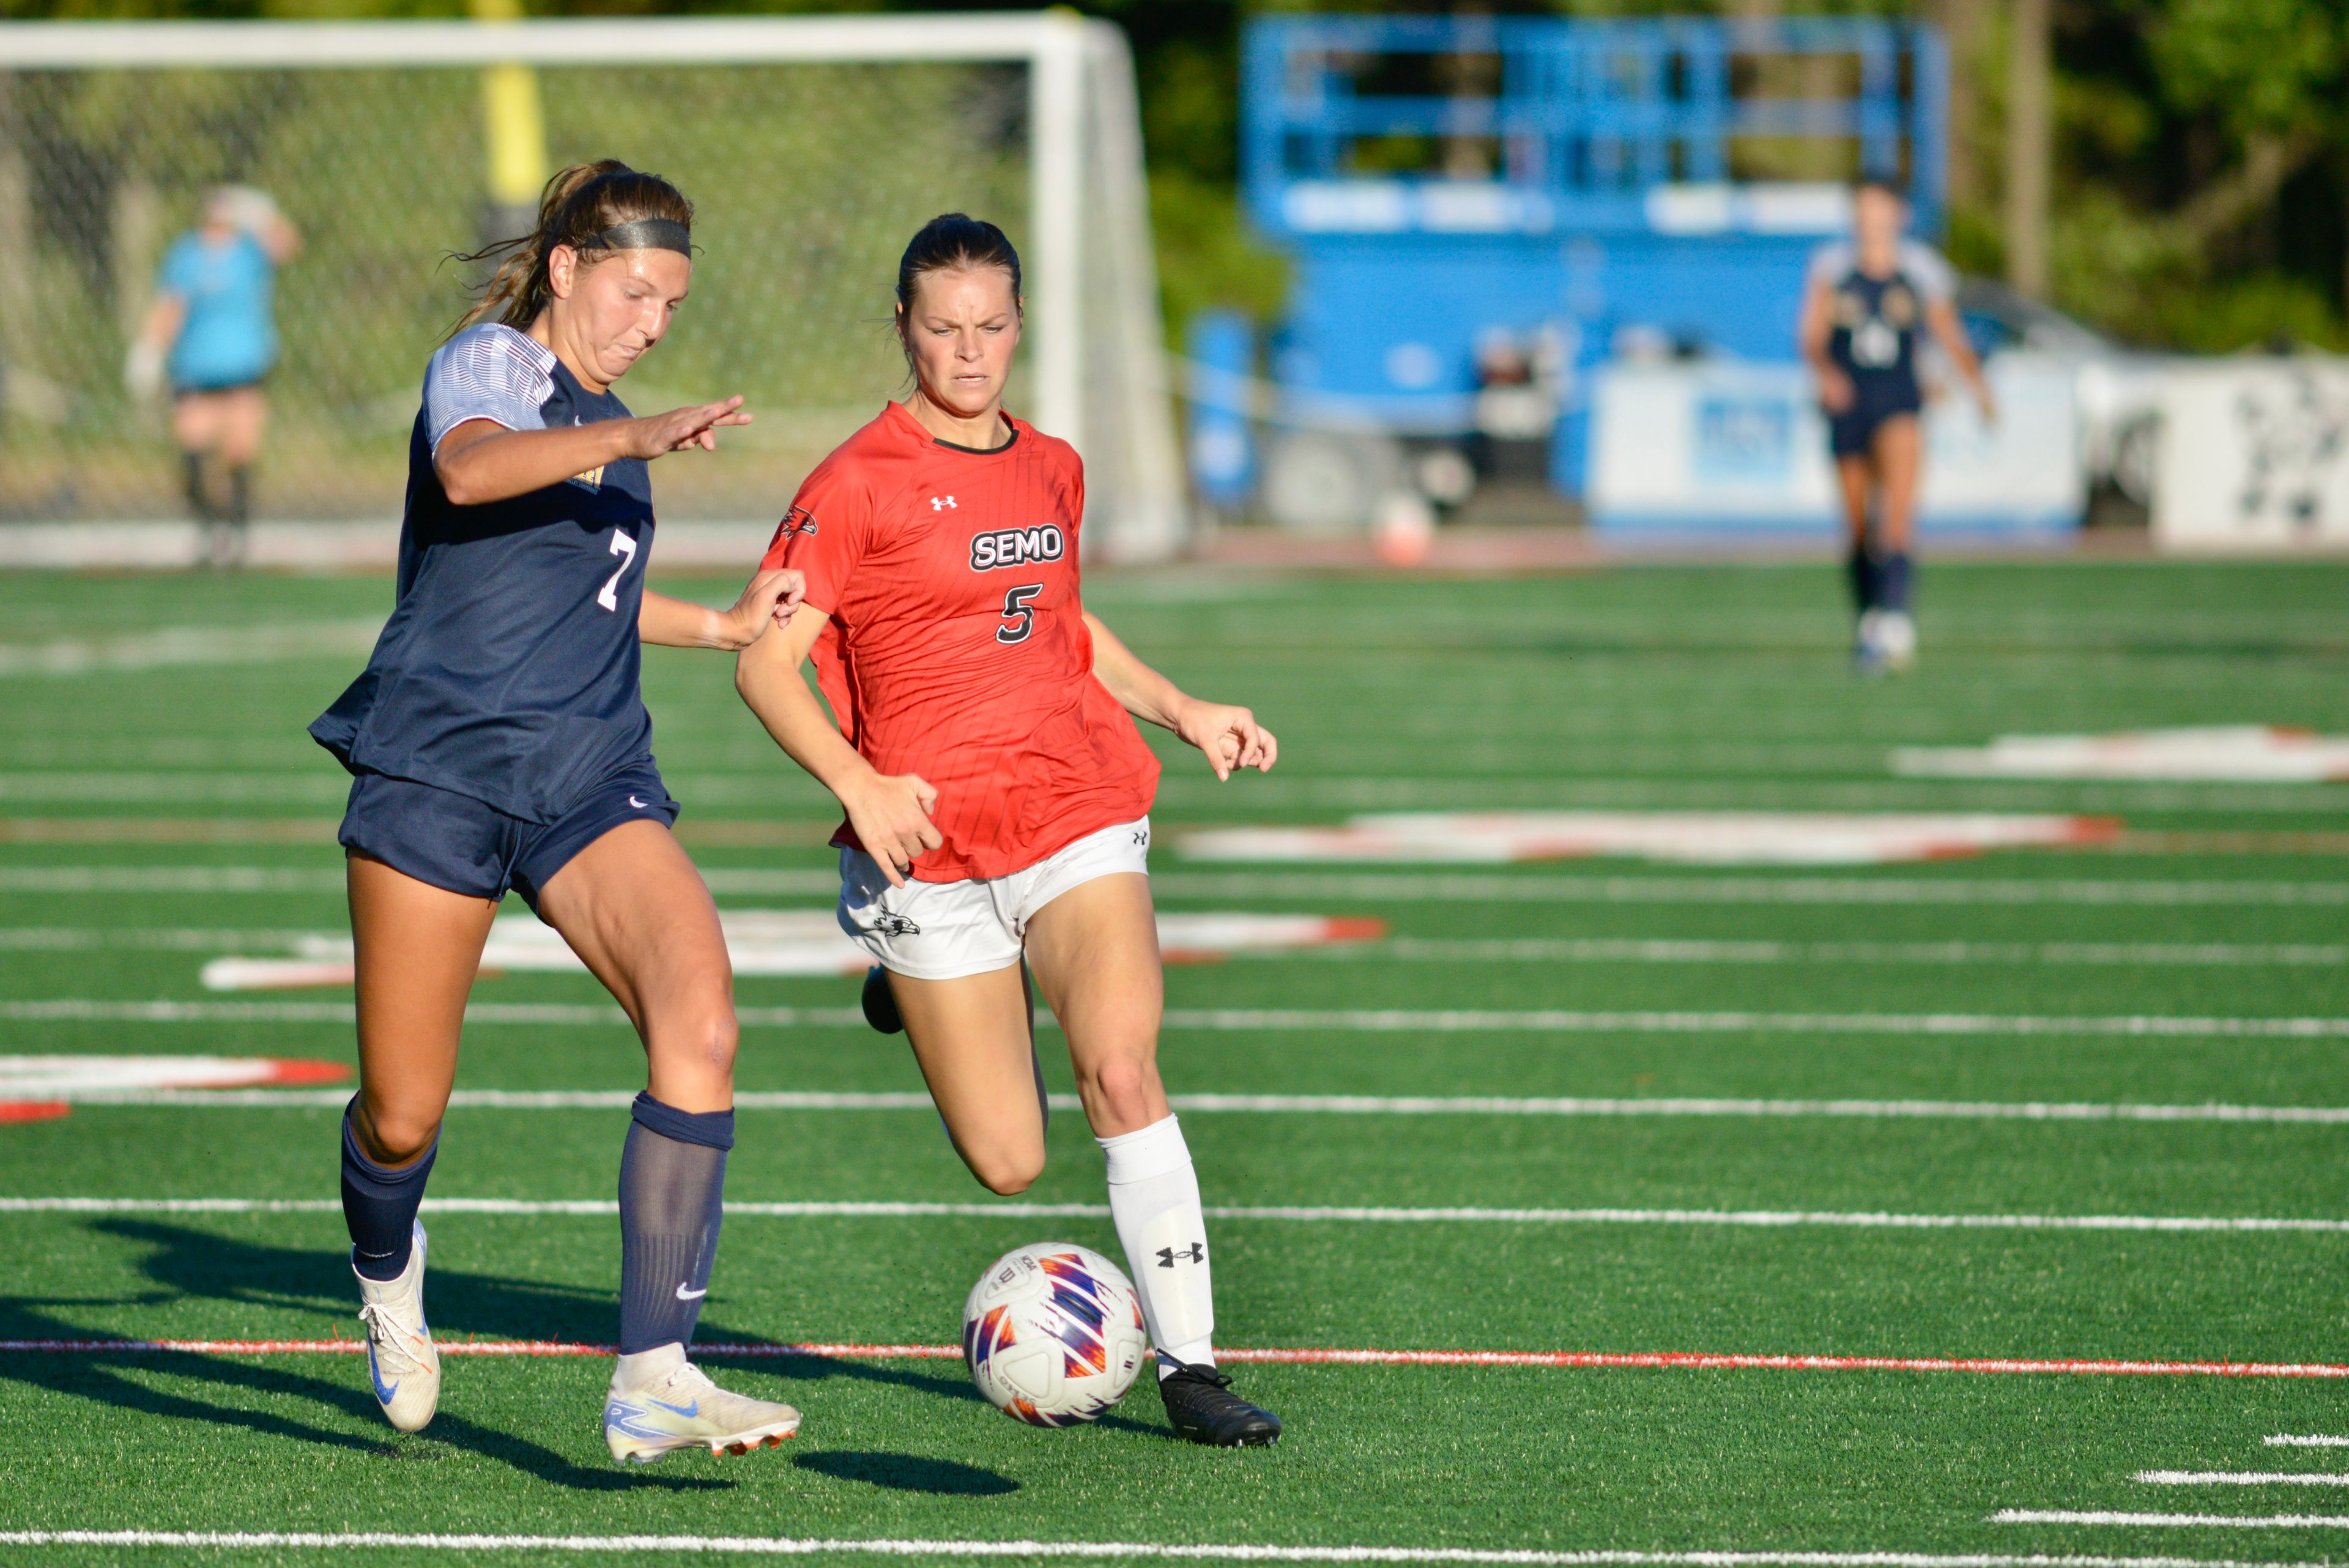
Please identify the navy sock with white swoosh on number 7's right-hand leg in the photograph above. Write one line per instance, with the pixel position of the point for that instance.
(673, 1184)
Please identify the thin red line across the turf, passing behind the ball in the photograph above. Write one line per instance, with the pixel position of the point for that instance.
(2075, 1367)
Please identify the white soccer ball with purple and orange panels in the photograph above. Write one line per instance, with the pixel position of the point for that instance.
(1054, 1334)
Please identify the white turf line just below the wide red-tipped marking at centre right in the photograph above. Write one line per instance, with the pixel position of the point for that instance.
(1387, 887)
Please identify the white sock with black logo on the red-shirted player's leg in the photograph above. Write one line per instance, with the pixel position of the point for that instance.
(1155, 1205)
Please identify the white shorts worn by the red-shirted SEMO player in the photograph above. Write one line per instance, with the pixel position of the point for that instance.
(953, 930)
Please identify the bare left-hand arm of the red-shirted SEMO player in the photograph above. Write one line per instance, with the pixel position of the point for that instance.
(889, 815)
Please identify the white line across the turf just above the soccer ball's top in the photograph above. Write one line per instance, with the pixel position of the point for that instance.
(1768, 1219)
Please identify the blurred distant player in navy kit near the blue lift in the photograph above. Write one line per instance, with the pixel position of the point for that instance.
(1862, 314)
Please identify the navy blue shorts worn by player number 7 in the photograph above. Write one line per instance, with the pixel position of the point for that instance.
(462, 845)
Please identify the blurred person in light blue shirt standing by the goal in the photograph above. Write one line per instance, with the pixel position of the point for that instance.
(213, 335)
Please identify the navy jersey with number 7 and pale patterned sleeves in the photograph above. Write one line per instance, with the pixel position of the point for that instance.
(511, 664)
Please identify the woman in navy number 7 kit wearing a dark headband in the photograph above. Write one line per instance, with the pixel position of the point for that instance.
(499, 742)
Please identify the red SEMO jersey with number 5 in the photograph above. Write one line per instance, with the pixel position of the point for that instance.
(957, 645)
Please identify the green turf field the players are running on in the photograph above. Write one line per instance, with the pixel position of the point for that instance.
(161, 805)
